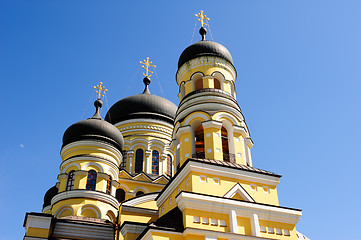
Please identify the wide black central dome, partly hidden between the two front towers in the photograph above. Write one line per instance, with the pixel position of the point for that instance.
(144, 105)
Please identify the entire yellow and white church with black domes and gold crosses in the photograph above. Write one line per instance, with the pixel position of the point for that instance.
(154, 170)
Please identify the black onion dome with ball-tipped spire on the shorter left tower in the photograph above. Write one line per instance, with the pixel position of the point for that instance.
(94, 128)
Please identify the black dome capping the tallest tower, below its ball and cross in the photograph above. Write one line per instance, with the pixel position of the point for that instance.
(204, 48)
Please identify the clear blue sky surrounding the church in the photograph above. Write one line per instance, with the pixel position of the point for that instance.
(299, 72)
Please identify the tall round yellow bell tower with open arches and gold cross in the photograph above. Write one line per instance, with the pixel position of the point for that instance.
(209, 122)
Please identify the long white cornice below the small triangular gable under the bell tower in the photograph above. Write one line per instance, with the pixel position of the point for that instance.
(186, 200)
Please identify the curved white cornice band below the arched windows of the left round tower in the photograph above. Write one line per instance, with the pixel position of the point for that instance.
(85, 194)
